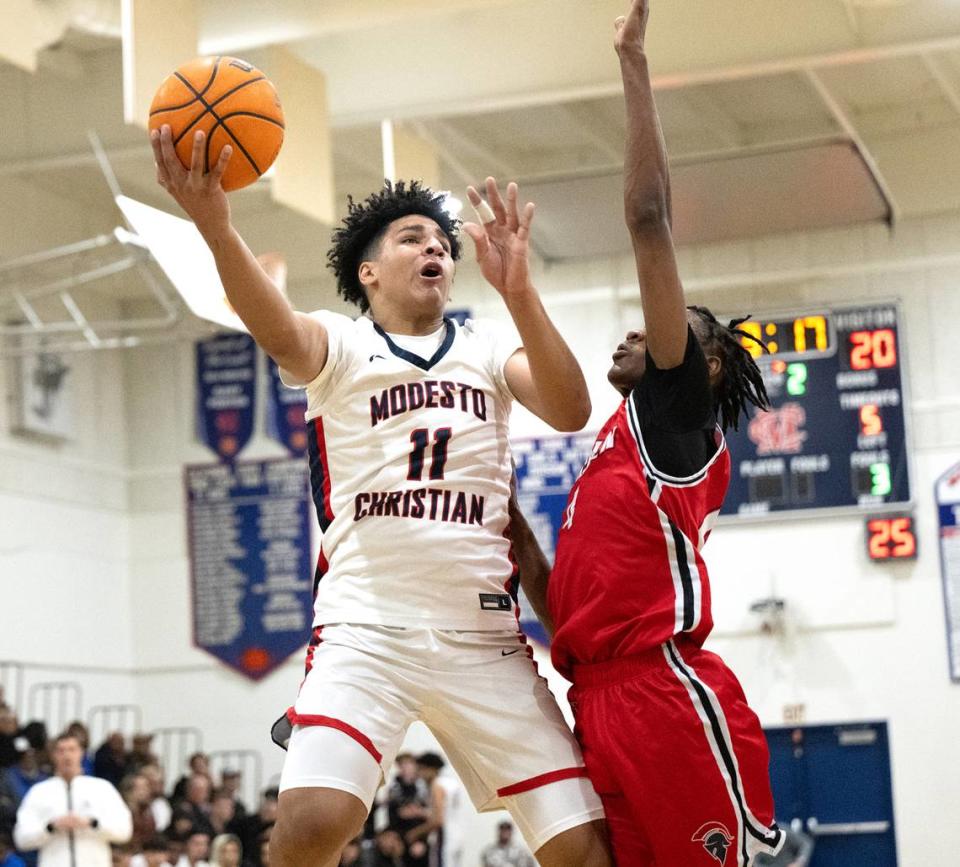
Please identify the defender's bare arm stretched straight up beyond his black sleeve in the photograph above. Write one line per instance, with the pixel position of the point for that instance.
(646, 197)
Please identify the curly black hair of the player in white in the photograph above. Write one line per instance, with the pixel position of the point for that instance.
(365, 223)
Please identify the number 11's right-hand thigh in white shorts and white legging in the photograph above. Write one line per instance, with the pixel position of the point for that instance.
(507, 739)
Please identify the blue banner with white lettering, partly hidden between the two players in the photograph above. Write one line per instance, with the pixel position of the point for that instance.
(547, 468)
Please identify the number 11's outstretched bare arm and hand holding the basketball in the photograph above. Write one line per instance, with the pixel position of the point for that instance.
(297, 342)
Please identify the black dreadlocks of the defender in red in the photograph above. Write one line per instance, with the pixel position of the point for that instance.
(740, 381)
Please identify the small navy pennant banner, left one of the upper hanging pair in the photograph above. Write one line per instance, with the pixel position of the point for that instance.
(226, 391)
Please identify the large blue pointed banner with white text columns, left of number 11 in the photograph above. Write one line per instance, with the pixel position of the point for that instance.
(249, 536)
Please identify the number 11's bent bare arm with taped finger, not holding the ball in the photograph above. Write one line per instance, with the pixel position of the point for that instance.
(544, 376)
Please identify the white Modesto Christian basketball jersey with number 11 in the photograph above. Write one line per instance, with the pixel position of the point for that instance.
(410, 468)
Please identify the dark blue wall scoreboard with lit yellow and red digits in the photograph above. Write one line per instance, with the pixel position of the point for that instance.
(835, 436)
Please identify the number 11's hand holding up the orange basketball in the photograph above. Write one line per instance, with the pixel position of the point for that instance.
(199, 193)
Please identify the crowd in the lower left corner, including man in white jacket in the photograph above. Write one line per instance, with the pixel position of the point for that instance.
(199, 822)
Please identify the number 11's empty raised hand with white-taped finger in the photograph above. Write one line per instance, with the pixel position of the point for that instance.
(502, 238)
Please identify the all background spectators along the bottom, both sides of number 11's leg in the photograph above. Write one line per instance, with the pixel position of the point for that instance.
(201, 821)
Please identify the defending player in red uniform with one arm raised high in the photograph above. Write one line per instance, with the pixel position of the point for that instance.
(674, 751)
